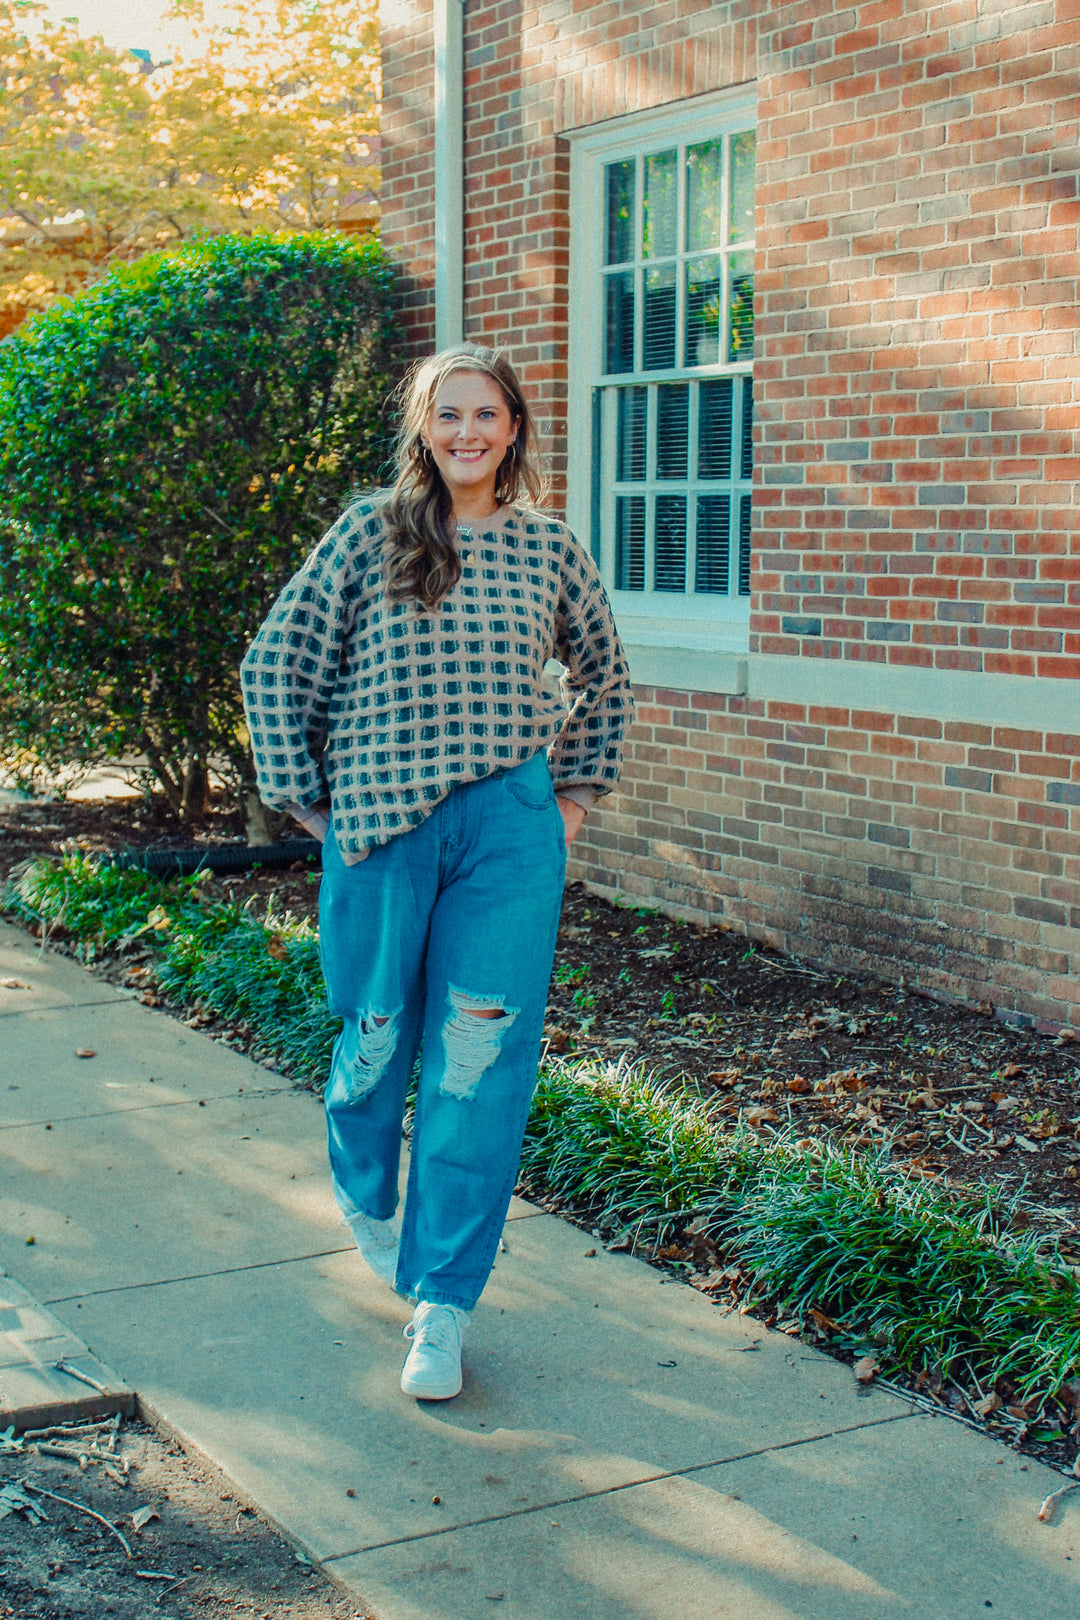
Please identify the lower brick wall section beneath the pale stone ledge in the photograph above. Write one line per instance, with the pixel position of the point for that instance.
(878, 843)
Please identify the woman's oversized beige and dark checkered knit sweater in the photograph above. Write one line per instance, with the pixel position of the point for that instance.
(386, 709)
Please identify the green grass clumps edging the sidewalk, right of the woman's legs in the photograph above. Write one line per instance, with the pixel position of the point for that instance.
(929, 1277)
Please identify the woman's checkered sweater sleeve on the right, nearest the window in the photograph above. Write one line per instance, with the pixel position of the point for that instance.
(597, 686)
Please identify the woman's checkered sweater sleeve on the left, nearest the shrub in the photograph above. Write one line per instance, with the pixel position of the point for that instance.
(291, 671)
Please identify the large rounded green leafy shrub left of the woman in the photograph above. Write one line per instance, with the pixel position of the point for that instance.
(172, 443)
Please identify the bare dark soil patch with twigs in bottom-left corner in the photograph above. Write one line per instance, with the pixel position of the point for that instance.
(219, 1556)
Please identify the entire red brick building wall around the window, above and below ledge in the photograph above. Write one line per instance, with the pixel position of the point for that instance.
(917, 396)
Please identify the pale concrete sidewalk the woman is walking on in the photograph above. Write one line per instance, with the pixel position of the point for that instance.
(623, 1451)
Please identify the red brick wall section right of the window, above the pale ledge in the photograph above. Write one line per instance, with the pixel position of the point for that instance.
(917, 378)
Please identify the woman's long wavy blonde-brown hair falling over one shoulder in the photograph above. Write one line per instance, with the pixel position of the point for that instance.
(425, 563)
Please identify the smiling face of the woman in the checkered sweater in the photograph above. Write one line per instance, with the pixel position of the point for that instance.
(469, 432)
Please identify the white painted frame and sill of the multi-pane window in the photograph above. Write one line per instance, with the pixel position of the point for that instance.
(691, 642)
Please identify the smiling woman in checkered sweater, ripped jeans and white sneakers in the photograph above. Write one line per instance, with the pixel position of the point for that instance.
(398, 709)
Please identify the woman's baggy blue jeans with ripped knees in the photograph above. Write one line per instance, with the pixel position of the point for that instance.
(453, 918)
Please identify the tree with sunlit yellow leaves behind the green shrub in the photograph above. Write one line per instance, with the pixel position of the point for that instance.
(268, 122)
